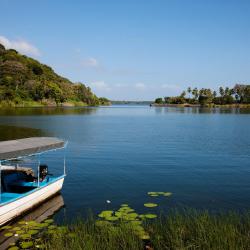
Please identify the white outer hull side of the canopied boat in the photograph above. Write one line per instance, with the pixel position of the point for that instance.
(15, 208)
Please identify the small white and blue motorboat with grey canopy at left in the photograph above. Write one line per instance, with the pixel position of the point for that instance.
(21, 188)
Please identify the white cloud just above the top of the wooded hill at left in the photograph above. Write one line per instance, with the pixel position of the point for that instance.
(20, 45)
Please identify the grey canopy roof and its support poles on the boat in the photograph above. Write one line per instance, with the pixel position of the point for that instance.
(21, 148)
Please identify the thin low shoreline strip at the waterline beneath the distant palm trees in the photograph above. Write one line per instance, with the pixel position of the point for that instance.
(198, 105)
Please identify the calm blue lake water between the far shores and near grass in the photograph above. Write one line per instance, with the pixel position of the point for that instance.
(120, 153)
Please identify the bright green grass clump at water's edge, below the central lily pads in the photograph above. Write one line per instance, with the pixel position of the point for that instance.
(88, 235)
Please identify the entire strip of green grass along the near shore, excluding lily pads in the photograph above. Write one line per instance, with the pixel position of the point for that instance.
(178, 230)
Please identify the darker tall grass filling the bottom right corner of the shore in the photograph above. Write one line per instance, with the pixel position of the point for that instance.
(201, 230)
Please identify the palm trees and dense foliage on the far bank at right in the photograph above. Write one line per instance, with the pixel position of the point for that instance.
(240, 94)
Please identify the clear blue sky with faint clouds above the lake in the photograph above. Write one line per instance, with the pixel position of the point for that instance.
(134, 50)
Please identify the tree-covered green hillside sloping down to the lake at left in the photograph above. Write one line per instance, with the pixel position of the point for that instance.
(23, 78)
